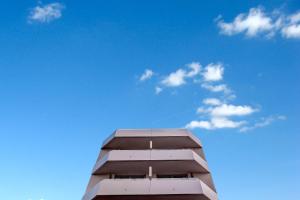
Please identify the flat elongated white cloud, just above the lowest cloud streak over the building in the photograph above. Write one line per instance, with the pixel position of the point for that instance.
(232, 110)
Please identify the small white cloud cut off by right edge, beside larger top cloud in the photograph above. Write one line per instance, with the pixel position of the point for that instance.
(292, 28)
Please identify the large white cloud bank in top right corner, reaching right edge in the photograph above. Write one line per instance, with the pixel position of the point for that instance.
(258, 22)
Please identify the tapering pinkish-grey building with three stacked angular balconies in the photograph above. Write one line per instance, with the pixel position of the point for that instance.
(151, 164)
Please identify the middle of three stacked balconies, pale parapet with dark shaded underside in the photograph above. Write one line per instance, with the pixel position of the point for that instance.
(162, 162)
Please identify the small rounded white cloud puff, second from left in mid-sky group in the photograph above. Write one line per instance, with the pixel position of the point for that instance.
(175, 79)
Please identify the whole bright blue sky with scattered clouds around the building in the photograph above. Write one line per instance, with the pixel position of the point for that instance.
(71, 72)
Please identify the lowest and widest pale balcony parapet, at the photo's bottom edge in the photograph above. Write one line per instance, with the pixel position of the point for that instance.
(151, 189)
